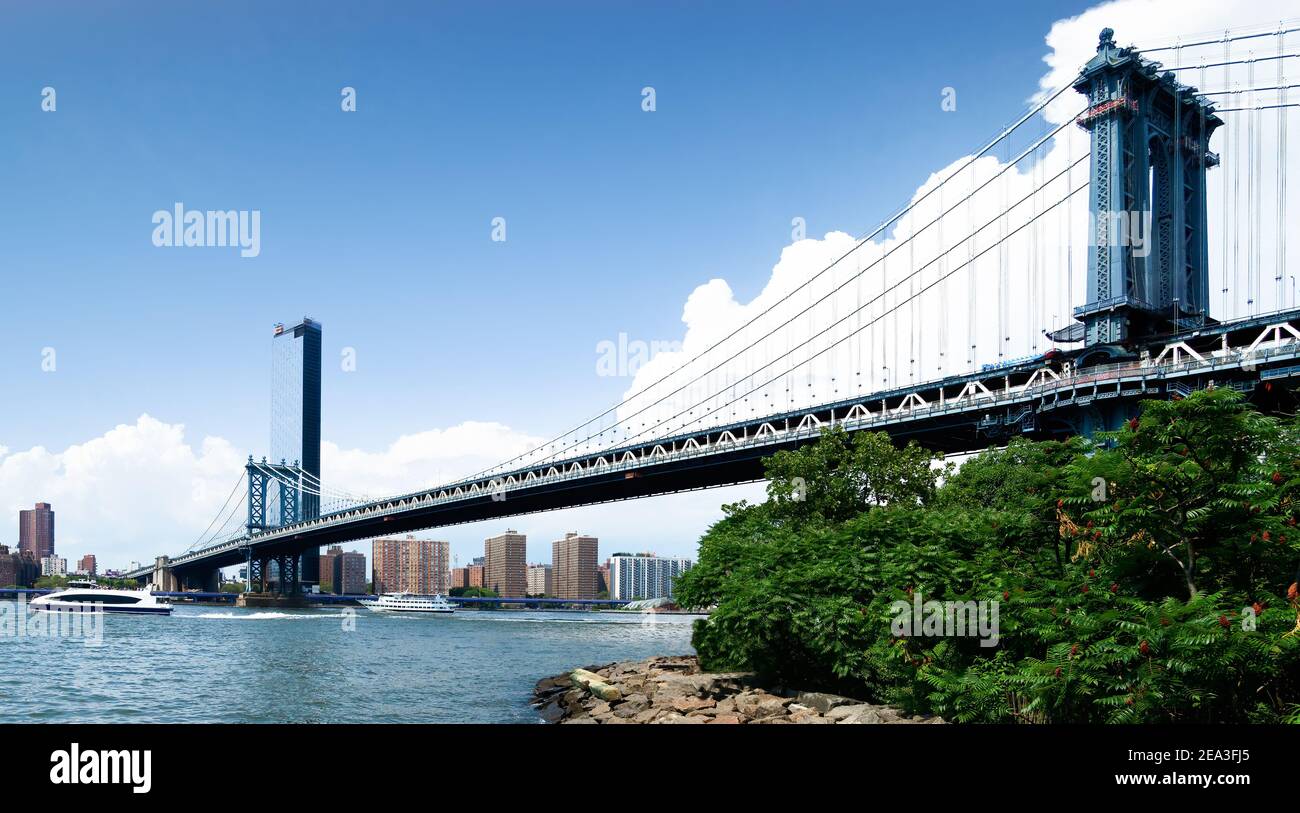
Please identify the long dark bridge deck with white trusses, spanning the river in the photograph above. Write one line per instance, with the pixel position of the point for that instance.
(957, 414)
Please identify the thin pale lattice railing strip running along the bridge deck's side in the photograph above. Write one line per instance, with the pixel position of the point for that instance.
(869, 413)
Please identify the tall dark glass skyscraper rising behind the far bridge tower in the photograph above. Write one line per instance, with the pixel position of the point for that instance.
(296, 416)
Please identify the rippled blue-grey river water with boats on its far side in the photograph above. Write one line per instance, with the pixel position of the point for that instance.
(232, 665)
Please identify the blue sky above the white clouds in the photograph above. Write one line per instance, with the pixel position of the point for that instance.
(378, 223)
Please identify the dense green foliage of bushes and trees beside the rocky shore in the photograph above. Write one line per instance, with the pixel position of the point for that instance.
(1128, 573)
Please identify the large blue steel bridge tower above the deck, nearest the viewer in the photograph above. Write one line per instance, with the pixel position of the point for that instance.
(1147, 248)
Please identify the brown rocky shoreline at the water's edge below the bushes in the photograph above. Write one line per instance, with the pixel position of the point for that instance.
(674, 690)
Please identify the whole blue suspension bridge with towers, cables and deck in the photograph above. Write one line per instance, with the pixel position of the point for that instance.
(1115, 244)
